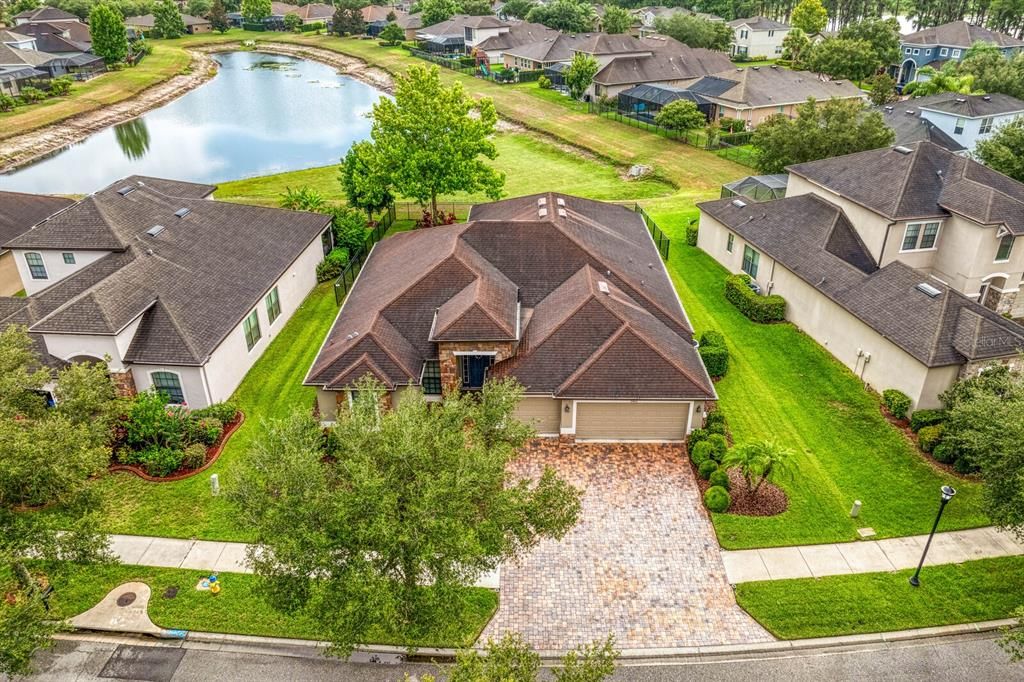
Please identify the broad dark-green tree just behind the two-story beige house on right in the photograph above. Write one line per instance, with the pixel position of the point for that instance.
(820, 132)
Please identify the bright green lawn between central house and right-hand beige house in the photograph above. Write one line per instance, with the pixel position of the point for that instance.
(783, 386)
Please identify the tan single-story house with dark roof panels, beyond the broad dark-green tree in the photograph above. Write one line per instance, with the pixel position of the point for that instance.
(755, 94)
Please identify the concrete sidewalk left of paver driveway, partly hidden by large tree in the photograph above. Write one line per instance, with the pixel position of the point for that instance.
(205, 556)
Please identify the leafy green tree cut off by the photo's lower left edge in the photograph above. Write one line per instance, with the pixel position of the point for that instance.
(48, 457)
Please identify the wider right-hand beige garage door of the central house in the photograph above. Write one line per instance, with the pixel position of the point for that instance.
(632, 421)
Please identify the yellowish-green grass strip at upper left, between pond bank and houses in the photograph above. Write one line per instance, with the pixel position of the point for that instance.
(166, 62)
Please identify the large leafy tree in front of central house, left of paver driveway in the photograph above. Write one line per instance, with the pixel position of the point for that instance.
(388, 525)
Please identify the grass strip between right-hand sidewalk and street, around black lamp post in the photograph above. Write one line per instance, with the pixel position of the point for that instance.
(983, 590)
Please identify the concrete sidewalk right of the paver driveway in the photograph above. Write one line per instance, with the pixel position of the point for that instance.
(867, 557)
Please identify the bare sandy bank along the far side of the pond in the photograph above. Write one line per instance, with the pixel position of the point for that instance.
(23, 150)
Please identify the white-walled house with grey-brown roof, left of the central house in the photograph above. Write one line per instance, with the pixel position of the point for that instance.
(176, 290)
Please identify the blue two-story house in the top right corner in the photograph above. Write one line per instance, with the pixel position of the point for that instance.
(950, 42)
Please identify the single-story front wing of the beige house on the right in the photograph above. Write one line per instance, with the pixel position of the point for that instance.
(894, 326)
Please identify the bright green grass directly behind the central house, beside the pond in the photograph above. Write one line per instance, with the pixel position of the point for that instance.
(531, 165)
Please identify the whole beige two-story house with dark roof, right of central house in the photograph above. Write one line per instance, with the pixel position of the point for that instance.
(872, 252)
